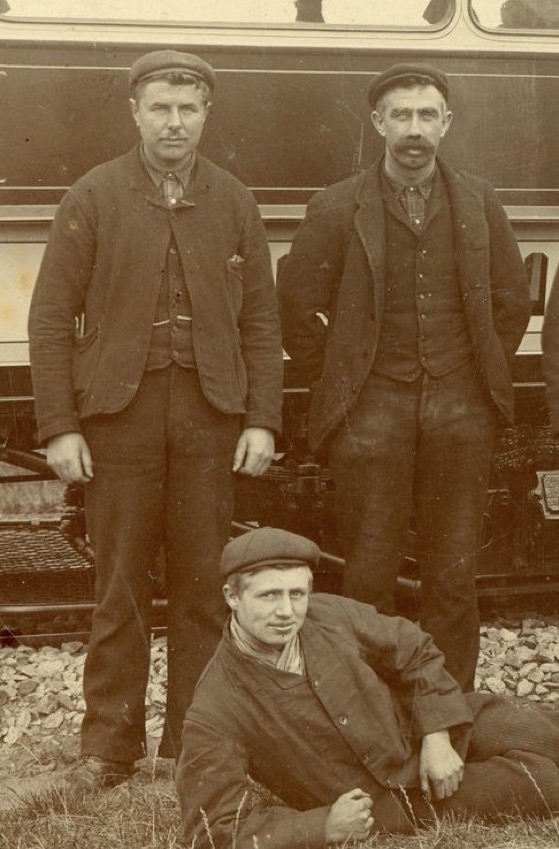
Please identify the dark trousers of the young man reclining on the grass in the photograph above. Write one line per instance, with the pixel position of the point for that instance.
(511, 768)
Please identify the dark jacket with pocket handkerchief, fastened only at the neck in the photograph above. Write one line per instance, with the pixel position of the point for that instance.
(104, 259)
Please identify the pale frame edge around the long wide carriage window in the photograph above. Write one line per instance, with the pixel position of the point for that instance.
(287, 27)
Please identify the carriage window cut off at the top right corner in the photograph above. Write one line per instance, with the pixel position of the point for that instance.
(516, 14)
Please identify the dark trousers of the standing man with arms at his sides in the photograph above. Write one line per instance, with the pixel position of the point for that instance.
(162, 477)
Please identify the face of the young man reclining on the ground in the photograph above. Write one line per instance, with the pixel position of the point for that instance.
(272, 604)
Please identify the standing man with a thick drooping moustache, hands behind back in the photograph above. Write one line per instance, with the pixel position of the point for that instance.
(415, 268)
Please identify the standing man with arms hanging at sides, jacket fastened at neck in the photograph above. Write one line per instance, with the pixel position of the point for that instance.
(172, 383)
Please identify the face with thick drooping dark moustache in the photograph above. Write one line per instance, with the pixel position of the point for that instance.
(412, 122)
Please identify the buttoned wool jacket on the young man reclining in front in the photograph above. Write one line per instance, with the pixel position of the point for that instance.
(377, 681)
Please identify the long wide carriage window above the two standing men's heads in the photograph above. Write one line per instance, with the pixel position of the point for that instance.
(367, 13)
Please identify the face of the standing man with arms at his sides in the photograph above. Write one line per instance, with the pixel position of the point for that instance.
(170, 119)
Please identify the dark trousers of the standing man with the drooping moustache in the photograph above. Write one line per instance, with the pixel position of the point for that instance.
(418, 451)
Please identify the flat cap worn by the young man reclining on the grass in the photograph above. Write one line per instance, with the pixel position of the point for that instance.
(268, 547)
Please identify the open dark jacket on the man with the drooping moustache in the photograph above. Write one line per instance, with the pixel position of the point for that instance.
(337, 268)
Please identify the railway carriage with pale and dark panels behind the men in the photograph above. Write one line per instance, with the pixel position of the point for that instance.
(289, 117)
